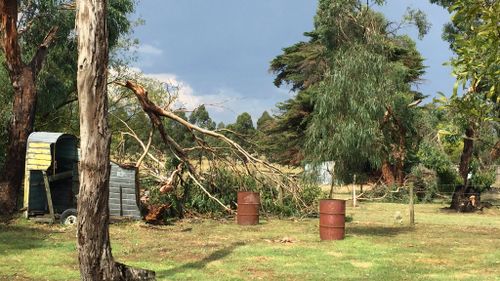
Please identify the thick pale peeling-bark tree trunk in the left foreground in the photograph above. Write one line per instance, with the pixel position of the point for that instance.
(94, 249)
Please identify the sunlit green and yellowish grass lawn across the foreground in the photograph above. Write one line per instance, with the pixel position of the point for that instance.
(442, 246)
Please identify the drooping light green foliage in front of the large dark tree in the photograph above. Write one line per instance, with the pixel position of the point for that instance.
(346, 125)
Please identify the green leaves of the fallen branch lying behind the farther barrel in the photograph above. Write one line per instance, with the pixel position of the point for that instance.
(224, 184)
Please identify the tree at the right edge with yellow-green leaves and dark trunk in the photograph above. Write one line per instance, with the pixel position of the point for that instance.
(473, 36)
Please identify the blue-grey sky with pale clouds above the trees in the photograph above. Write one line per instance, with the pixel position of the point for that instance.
(219, 51)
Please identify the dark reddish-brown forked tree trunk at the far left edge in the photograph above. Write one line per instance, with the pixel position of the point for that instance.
(22, 77)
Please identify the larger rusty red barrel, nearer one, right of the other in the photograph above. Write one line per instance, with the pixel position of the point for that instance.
(331, 219)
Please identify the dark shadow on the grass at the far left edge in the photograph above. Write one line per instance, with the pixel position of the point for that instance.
(14, 238)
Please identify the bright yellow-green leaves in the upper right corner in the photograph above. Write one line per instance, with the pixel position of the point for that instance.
(473, 35)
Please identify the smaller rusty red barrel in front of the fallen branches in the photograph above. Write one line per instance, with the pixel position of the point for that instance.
(248, 208)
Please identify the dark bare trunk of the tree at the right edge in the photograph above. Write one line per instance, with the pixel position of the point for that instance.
(463, 169)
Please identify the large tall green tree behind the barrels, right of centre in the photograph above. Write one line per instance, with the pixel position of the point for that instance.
(355, 104)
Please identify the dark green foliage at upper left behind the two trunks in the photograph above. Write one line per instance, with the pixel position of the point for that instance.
(57, 109)
